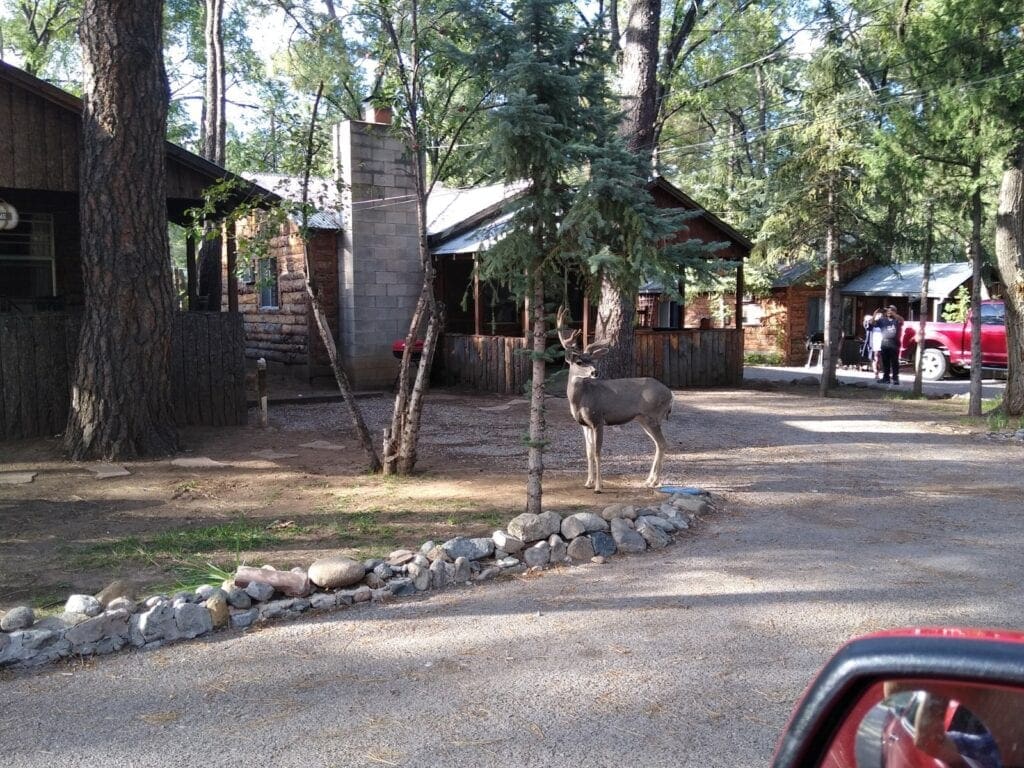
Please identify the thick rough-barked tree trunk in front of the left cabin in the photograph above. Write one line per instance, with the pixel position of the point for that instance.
(121, 403)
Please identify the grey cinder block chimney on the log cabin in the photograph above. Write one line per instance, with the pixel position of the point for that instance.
(379, 270)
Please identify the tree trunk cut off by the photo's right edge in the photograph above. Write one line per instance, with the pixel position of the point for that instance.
(1010, 254)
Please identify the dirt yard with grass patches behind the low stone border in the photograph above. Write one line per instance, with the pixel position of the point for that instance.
(68, 532)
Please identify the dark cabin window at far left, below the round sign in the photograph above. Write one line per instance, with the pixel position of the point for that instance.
(28, 273)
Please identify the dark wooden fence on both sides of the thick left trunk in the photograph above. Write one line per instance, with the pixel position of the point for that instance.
(37, 362)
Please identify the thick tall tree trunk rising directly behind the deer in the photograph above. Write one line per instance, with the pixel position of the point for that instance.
(638, 73)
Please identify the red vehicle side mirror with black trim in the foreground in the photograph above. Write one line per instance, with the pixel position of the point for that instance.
(938, 699)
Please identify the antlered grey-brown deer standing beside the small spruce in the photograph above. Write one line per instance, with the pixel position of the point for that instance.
(595, 404)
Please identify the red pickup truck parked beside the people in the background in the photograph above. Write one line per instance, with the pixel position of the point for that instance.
(948, 346)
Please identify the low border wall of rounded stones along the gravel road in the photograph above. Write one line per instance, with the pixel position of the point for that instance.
(113, 620)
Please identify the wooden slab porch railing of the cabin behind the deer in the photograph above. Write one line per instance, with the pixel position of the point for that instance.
(678, 359)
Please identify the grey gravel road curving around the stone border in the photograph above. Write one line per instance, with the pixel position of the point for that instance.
(838, 518)
